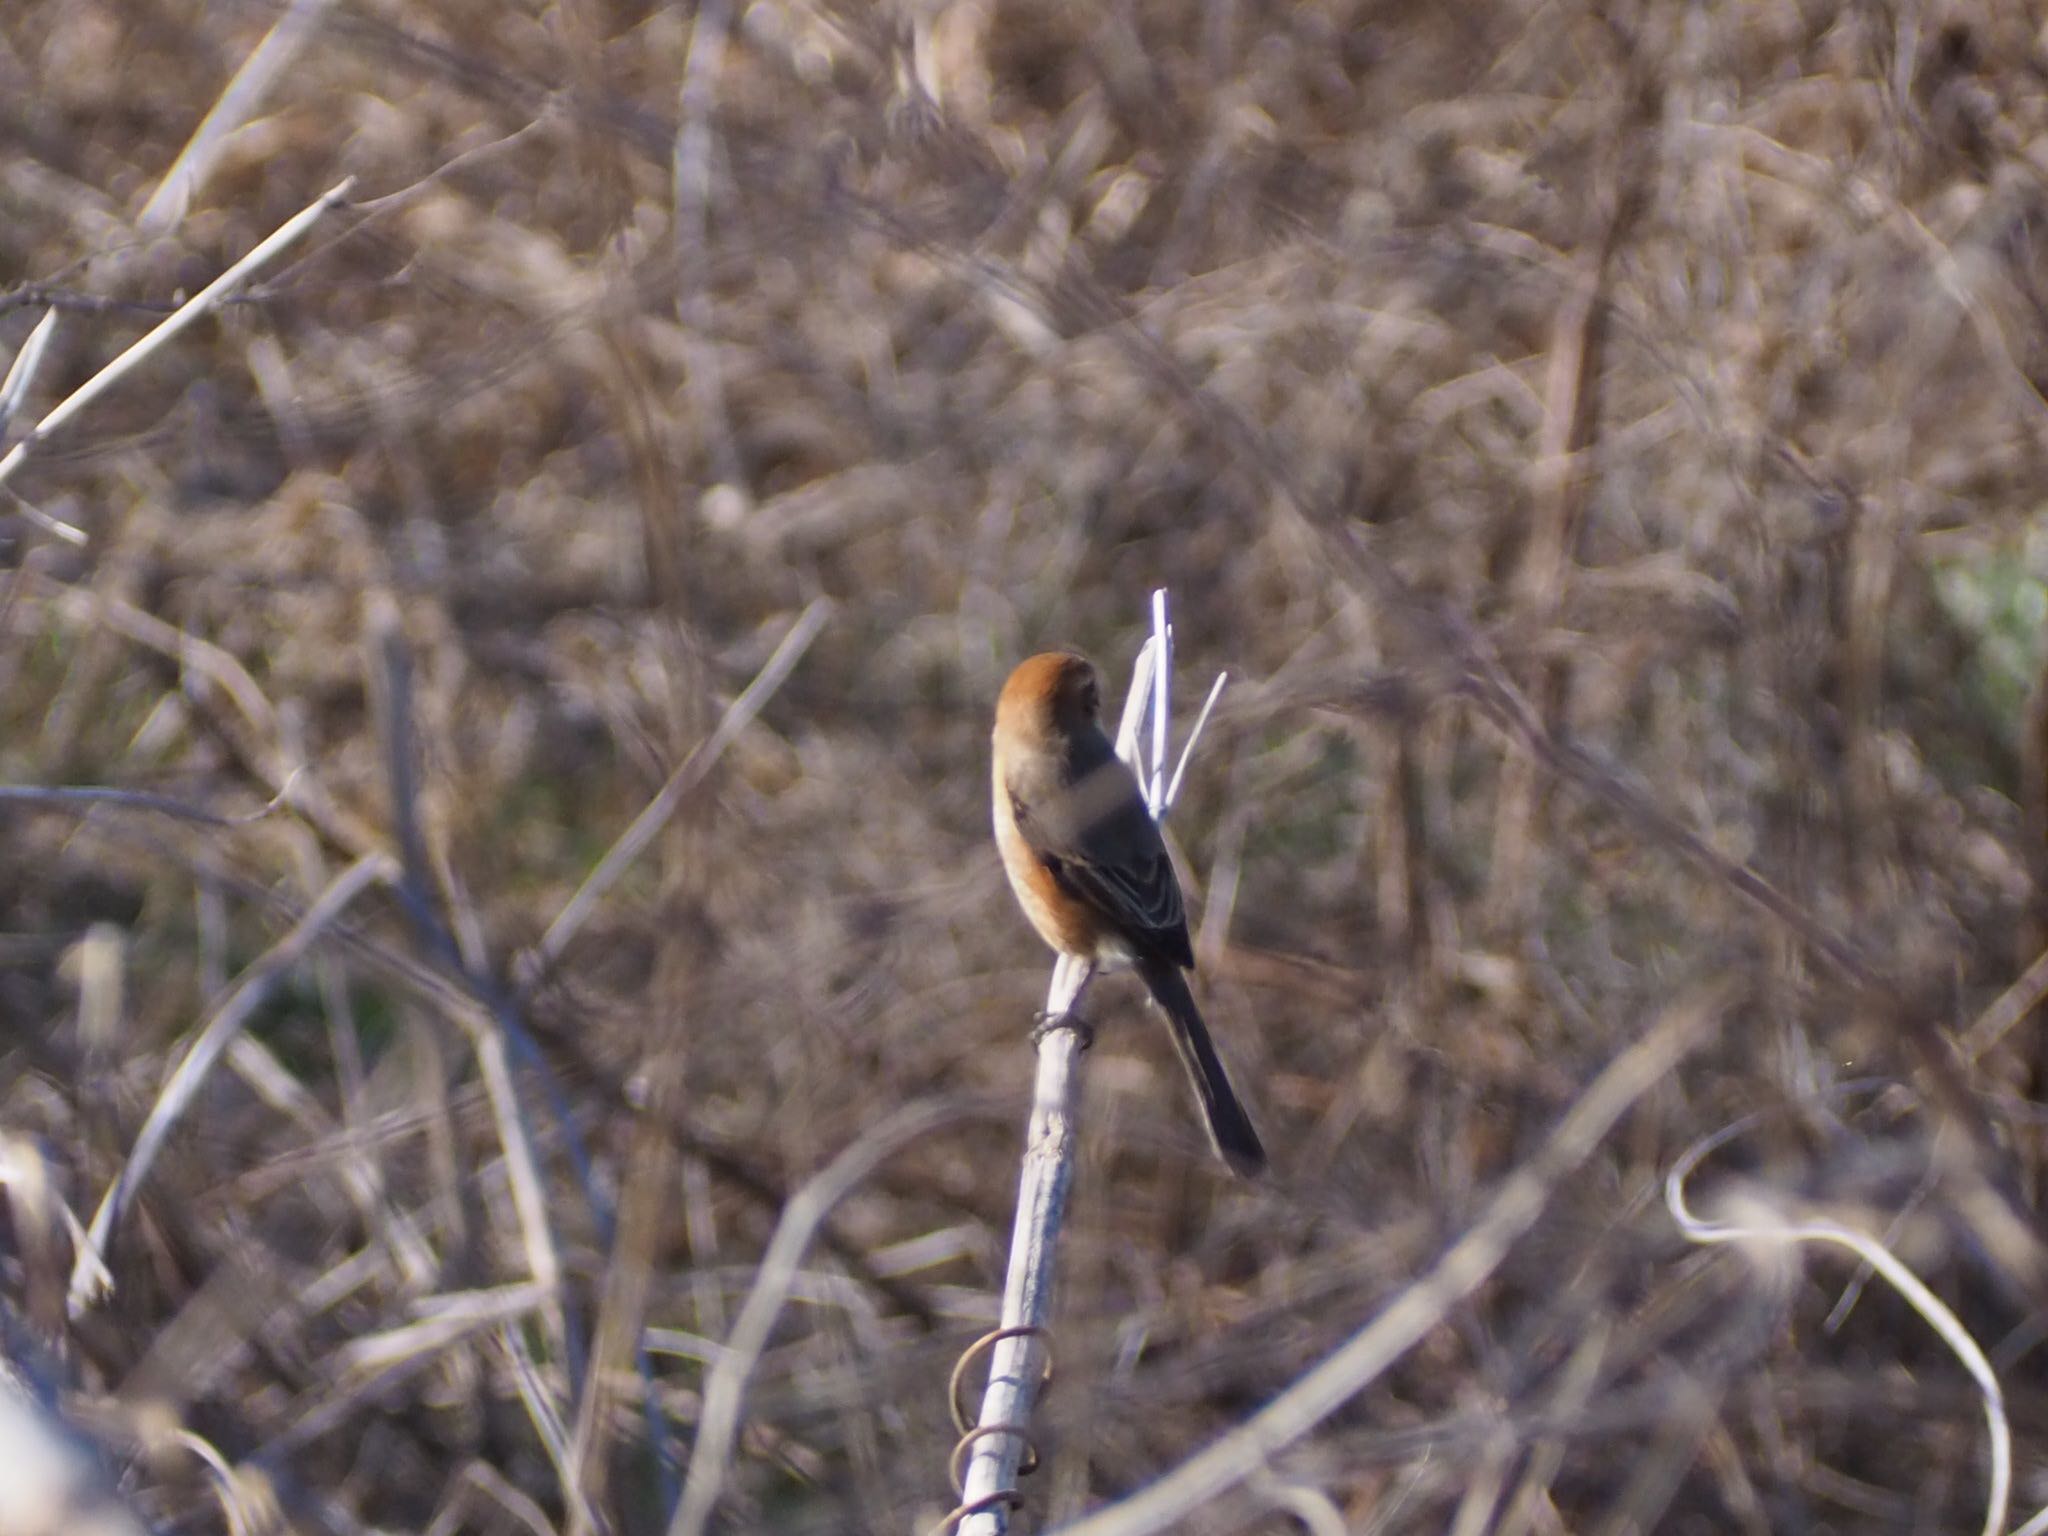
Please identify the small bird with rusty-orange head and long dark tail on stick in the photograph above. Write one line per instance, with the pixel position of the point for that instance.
(1091, 869)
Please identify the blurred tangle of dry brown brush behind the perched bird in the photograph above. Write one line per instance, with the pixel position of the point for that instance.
(1553, 415)
